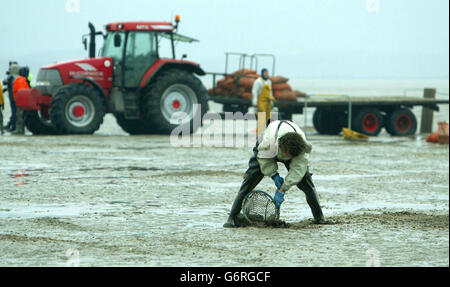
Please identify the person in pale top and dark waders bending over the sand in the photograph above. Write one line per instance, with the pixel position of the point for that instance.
(282, 141)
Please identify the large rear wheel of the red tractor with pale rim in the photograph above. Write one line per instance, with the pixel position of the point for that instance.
(173, 91)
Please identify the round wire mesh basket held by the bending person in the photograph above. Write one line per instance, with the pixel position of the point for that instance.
(259, 207)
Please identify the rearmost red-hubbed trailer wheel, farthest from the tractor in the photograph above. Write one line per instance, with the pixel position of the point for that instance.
(401, 122)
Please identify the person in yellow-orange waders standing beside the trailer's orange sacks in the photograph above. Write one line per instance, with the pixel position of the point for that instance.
(262, 98)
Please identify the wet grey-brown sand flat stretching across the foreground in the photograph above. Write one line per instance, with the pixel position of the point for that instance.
(115, 200)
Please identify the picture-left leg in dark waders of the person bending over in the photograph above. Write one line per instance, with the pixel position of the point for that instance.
(252, 177)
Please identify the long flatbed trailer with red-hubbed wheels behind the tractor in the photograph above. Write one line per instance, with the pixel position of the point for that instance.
(367, 115)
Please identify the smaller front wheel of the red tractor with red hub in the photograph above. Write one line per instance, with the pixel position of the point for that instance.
(77, 109)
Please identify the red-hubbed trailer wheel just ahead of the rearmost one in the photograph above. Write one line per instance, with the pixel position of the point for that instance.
(368, 121)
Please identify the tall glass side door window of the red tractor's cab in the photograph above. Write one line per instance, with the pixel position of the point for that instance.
(141, 53)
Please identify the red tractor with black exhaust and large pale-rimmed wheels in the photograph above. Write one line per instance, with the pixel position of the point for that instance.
(147, 94)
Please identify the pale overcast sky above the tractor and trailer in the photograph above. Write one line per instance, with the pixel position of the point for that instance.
(312, 39)
